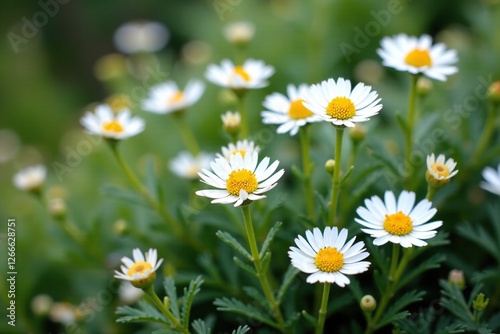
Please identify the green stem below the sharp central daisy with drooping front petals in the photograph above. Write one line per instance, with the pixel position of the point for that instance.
(261, 275)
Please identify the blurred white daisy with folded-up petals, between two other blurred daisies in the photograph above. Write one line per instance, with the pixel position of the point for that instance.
(167, 97)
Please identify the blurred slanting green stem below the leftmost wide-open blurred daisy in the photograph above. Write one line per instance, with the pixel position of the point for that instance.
(173, 224)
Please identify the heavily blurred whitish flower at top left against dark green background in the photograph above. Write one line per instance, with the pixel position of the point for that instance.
(140, 36)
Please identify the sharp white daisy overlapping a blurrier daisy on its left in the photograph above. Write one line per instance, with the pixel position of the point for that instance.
(335, 102)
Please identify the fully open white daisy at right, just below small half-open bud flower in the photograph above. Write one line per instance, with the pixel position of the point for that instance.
(398, 222)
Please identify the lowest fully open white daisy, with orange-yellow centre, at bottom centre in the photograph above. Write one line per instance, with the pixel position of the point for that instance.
(327, 256)
